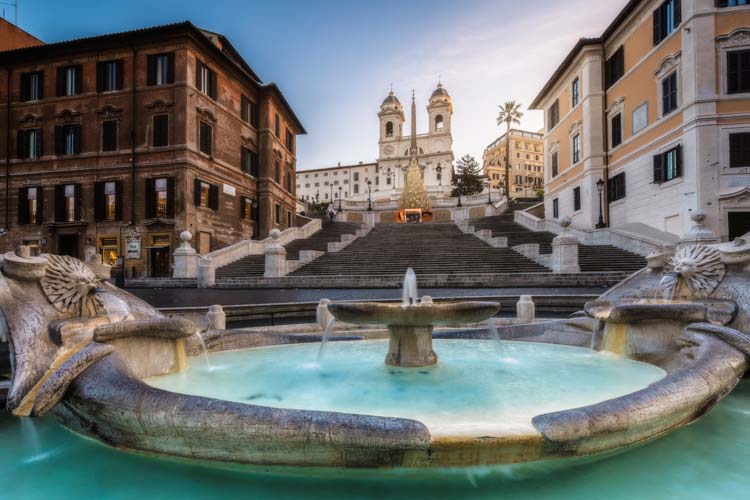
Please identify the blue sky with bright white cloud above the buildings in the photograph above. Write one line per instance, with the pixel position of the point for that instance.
(336, 60)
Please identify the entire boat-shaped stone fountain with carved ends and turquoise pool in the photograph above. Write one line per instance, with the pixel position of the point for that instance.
(110, 367)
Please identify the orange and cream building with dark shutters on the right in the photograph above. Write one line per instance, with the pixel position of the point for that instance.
(658, 109)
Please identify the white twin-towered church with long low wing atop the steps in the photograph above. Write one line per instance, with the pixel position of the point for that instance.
(387, 175)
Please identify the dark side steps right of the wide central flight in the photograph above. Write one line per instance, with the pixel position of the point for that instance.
(597, 258)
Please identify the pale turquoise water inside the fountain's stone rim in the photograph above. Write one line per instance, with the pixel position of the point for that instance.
(474, 389)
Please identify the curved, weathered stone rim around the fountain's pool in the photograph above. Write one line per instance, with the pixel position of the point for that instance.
(110, 404)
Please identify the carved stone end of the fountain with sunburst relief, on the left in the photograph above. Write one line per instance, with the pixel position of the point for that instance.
(59, 318)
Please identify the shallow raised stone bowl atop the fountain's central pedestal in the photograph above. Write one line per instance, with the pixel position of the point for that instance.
(419, 315)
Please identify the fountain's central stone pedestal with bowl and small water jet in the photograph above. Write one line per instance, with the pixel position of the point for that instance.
(411, 323)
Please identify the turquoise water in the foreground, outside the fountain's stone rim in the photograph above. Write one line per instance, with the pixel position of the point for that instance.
(707, 460)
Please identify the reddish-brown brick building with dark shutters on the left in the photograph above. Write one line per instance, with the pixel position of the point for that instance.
(122, 141)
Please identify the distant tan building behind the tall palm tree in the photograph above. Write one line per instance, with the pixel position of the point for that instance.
(526, 163)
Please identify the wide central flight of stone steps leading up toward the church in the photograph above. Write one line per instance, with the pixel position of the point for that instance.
(428, 248)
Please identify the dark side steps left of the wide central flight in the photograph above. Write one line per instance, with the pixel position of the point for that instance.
(254, 265)
